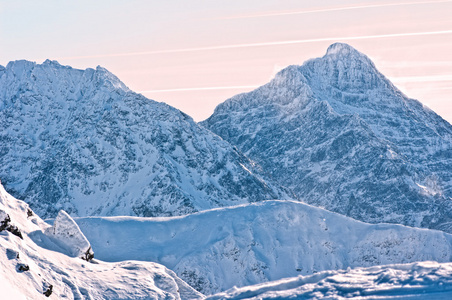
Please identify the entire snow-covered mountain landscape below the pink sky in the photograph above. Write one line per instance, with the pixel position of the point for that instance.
(146, 183)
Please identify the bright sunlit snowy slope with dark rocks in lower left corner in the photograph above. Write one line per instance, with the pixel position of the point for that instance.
(29, 268)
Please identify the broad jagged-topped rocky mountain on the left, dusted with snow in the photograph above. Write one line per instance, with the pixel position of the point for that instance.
(81, 141)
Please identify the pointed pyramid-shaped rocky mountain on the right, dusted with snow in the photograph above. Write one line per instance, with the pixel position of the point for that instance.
(341, 136)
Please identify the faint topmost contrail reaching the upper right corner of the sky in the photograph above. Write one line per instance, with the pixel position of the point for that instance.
(273, 14)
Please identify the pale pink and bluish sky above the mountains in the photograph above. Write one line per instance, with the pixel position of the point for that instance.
(195, 54)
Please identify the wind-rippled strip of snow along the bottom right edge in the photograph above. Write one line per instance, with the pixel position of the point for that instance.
(426, 280)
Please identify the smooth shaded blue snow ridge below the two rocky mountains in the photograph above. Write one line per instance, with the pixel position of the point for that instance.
(217, 249)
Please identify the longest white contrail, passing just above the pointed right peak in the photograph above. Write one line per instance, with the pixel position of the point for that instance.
(277, 43)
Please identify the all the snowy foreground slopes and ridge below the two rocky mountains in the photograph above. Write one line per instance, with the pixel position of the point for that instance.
(217, 249)
